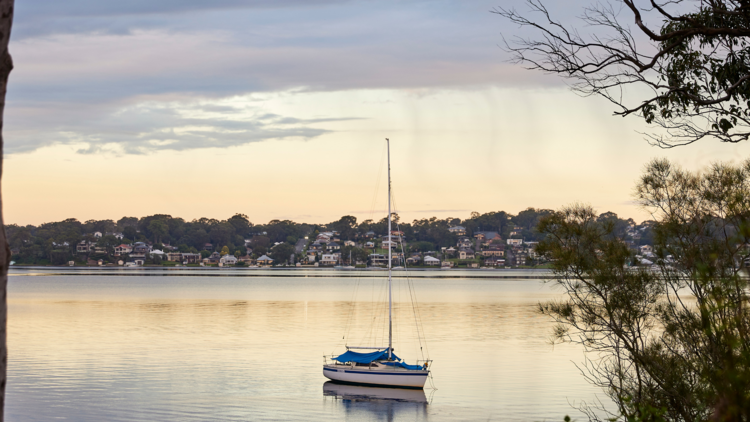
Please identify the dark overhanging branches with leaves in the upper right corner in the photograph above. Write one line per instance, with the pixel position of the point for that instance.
(684, 67)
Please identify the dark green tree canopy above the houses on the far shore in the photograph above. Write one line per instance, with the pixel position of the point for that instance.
(55, 242)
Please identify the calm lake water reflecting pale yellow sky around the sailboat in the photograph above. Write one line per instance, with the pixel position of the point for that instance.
(243, 344)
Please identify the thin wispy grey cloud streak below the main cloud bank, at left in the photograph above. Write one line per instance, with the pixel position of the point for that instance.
(153, 126)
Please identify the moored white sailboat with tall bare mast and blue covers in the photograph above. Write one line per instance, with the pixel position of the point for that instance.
(380, 366)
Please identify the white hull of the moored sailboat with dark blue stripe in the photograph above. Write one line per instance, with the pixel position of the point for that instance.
(363, 375)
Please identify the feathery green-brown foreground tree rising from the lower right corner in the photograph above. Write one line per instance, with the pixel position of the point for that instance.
(672, 341)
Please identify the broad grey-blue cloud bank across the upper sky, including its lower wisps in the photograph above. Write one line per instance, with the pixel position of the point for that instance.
(84, 67)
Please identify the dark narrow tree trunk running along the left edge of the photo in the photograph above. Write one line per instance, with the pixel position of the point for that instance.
(6, 65)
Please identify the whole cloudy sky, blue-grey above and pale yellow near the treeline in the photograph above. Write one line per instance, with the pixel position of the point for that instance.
(279, 110)
